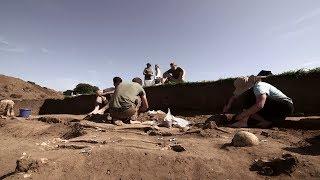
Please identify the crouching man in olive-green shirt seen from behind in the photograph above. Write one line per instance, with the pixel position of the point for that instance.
(128, 100)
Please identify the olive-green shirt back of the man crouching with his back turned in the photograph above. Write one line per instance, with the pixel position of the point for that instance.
(126, 95)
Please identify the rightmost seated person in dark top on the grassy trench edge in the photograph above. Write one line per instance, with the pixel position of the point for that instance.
(175, 74)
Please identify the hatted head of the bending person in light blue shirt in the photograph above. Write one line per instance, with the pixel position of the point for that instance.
(244, 83)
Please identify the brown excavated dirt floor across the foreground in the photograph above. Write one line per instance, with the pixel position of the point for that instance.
(129, 152)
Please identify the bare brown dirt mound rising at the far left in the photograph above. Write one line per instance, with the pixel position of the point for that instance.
(14, 88)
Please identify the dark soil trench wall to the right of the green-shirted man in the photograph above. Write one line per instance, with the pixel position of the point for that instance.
(211, 97)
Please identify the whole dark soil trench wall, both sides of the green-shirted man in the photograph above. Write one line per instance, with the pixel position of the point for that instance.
(194, 98)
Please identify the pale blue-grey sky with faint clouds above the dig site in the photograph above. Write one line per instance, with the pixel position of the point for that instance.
(60, 43)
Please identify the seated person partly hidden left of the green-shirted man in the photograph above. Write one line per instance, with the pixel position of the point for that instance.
(103, 97)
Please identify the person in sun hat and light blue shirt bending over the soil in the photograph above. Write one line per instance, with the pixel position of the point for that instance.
(262, 102)
